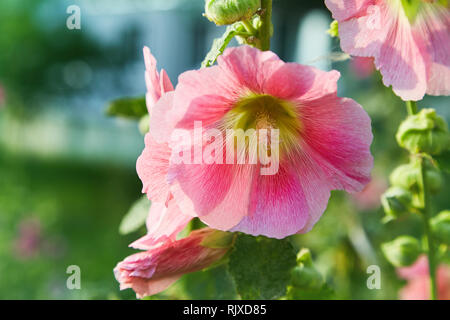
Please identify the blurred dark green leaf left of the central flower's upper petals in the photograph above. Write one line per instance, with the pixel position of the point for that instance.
(133, 108)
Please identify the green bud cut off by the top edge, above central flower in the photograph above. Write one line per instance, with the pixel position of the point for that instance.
(223, 12)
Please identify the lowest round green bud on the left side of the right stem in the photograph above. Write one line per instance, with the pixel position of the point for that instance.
(402, 251)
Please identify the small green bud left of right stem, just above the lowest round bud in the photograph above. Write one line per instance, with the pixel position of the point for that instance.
(396, 201)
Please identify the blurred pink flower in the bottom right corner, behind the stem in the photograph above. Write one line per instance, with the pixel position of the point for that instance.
(418, 286)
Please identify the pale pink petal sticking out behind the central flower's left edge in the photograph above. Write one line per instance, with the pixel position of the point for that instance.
(152, 167)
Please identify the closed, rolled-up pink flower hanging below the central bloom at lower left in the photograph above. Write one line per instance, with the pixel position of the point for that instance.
(153, 271)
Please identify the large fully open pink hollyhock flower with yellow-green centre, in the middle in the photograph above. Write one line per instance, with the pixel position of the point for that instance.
(324, 143)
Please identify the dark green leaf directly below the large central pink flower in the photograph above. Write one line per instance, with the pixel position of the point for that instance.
(260, 266)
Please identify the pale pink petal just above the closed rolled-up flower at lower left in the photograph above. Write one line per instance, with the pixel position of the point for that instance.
(163, 225)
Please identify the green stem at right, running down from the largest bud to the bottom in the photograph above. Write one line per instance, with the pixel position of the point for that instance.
(429, 236)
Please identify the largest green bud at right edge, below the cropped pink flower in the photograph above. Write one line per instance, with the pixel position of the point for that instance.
(424, 132)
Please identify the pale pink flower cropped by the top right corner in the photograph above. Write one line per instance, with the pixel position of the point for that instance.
(410, 41)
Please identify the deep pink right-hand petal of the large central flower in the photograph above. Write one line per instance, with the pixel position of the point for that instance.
(338, 146)
